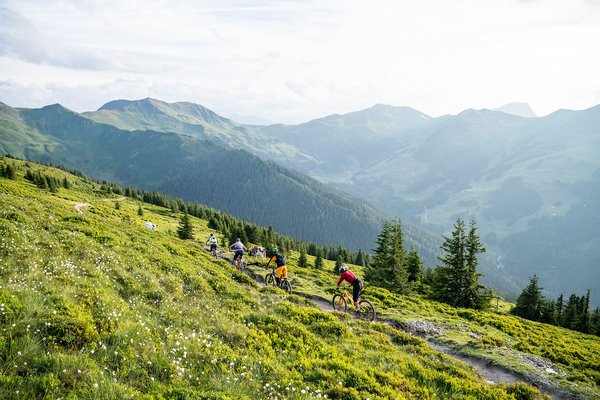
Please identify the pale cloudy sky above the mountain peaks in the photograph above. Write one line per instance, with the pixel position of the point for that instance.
(293, 61)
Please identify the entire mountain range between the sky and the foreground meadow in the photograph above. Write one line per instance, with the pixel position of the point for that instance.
(530, 182)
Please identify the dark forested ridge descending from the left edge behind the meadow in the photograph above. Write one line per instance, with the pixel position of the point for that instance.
(231, 180)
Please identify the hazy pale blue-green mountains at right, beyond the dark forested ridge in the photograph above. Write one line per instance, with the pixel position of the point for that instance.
(520, 178)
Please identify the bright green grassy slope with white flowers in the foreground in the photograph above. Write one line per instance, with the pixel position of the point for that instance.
(95, 306)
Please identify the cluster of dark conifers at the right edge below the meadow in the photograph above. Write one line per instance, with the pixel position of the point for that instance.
(572, 314)
